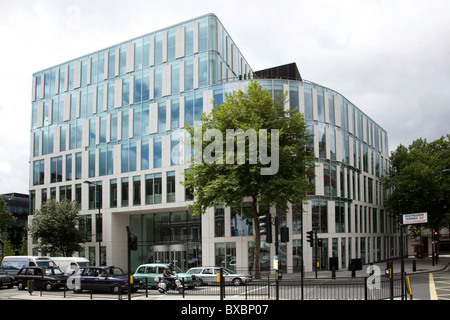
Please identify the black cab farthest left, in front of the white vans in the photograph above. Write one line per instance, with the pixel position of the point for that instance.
(49, 278)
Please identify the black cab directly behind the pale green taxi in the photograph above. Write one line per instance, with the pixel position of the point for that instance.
(108, 279)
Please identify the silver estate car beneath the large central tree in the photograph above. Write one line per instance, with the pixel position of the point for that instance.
(207, 275)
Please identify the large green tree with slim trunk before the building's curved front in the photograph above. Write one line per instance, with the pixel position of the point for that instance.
(223, 173)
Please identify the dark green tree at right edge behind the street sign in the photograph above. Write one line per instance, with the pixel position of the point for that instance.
(419, 181)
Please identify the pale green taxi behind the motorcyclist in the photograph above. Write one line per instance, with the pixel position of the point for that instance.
(149, 271)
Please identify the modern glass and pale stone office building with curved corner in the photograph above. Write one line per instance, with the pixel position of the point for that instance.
(108, 130)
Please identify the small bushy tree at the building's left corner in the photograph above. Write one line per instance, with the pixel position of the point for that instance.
(55, 226)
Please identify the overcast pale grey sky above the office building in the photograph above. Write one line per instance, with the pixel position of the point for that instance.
(390, 58)
